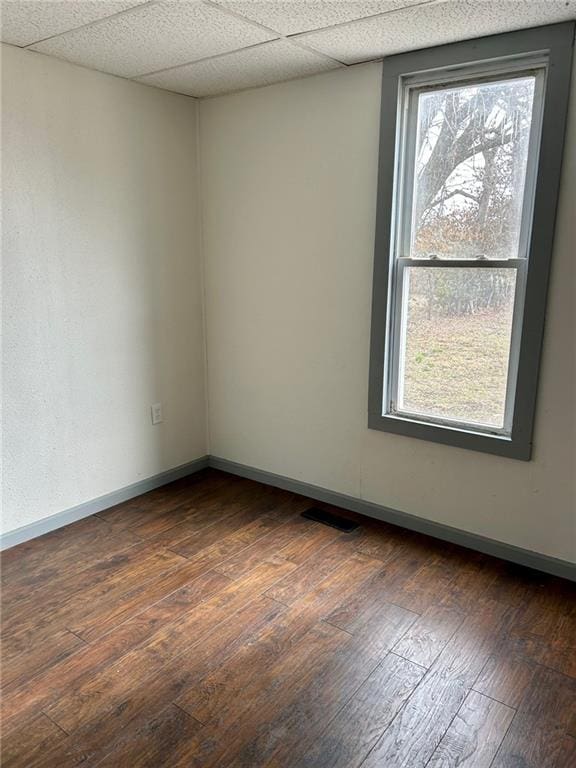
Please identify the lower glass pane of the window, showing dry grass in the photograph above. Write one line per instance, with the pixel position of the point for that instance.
(455, 343)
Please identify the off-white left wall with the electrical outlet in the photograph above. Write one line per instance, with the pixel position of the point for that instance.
(102, 277)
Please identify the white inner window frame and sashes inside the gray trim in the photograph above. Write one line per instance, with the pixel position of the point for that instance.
(408, 92)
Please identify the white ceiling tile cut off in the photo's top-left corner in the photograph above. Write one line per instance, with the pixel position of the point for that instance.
(27, 22)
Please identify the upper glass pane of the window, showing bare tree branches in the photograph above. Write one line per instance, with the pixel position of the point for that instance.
(470, 169)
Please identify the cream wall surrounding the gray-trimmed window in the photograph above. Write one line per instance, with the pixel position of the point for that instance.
(289, 190)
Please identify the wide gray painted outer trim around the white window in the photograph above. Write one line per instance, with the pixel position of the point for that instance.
(557, 42)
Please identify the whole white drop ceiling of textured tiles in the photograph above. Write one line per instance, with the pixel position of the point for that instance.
(208, 47)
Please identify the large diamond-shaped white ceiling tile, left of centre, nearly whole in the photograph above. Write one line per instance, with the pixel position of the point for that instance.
(154, 37)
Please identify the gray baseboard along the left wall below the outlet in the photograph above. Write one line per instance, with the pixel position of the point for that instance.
(60, 519)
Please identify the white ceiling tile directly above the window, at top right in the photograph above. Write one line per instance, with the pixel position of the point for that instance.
(443, 21)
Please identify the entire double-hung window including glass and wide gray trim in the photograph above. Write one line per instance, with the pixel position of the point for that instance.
(468, 183)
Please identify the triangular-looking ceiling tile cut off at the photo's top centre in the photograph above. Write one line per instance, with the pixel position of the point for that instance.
(291, 16)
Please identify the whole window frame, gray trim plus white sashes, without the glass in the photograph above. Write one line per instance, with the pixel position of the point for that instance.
(523, 51)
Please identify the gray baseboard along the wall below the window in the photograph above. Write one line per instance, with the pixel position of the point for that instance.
(509, 552)
